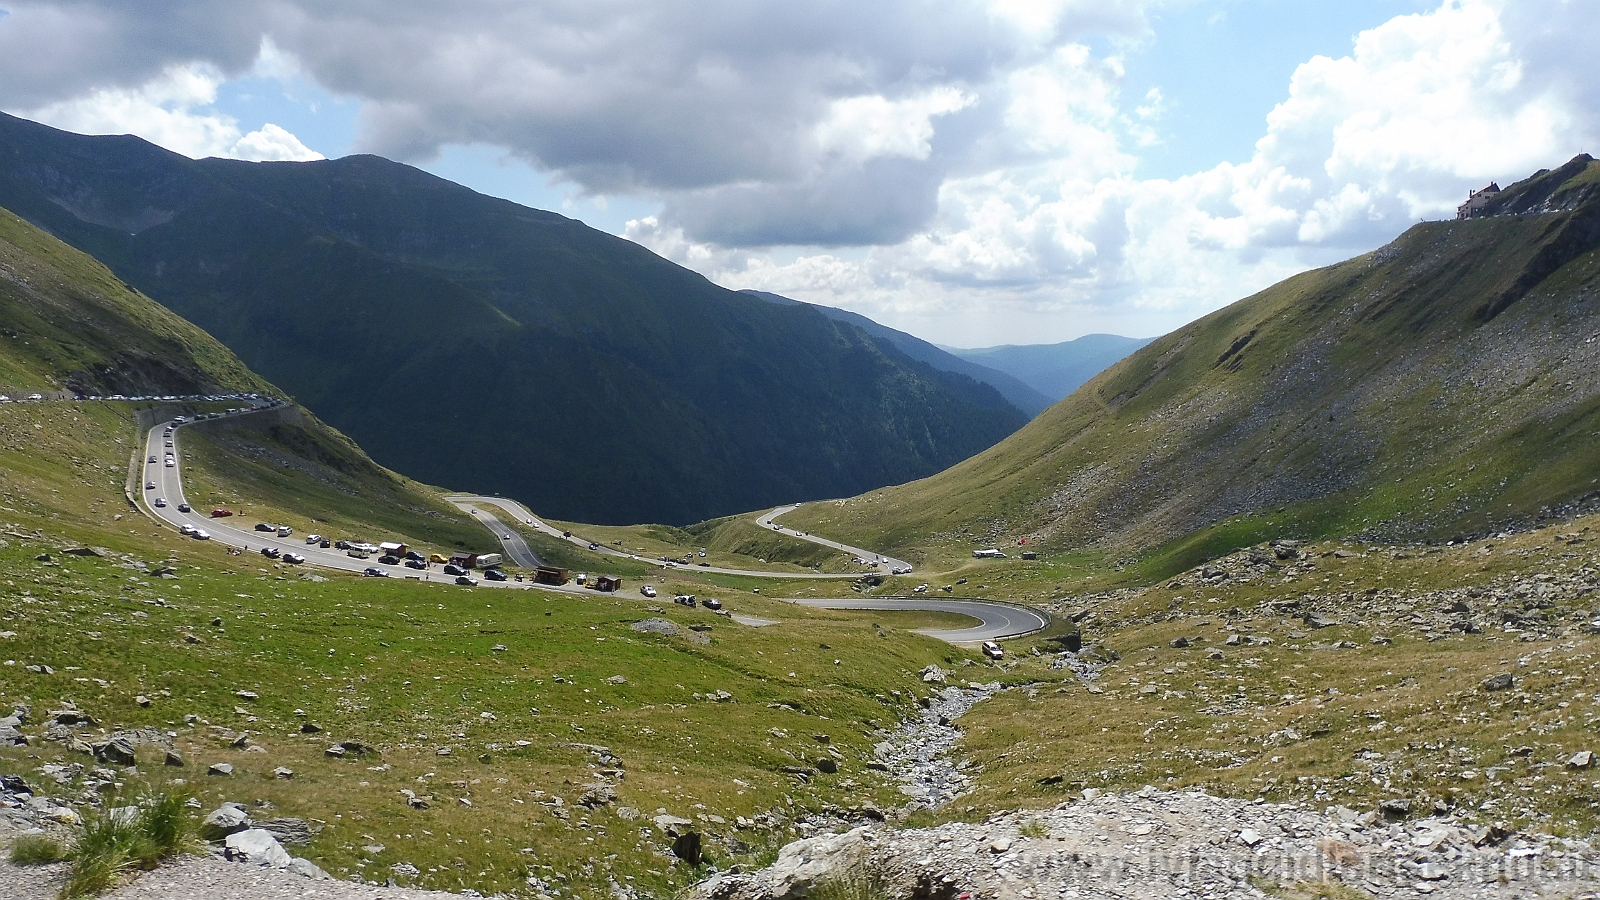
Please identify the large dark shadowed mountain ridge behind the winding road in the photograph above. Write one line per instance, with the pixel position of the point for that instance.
(490, 347)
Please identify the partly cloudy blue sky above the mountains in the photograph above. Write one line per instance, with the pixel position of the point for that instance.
(974, 172)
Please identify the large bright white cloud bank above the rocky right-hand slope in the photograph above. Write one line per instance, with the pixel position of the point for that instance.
(1062, 228)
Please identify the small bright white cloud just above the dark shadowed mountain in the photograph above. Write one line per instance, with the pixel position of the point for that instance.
(177, 113)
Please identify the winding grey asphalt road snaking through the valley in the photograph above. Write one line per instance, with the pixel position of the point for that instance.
(164, 481)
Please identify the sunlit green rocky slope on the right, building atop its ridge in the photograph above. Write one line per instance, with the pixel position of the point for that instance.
(1442, 385)
